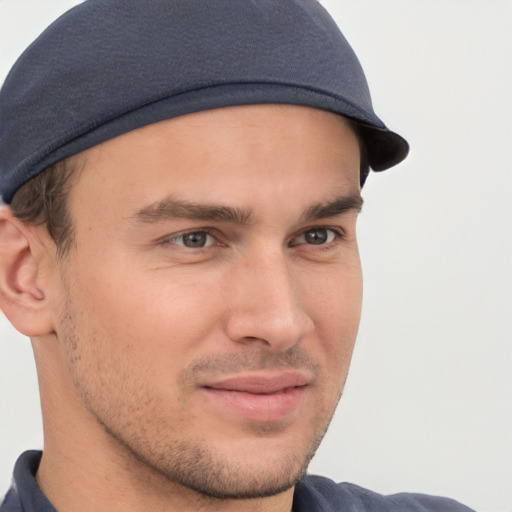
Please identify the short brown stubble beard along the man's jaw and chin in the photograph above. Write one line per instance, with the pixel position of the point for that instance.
(188, 463)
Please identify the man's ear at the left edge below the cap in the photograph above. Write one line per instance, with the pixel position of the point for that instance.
(22, 298)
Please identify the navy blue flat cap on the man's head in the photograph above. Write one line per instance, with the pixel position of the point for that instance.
(107, 67)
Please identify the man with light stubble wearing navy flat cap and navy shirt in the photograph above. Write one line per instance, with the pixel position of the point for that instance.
(183, 181)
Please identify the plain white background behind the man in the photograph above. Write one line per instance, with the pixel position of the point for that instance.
(428, 405)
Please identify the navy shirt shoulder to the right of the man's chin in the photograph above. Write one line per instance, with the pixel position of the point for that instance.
(319, 494)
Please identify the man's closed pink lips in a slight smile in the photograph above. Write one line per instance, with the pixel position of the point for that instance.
(260, 398)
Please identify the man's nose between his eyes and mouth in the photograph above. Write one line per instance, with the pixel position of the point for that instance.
(265, 304)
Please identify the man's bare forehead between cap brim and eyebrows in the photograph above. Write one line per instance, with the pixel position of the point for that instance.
(212, 154)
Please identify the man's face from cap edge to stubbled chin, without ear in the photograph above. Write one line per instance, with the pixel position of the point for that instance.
(208, 310)
